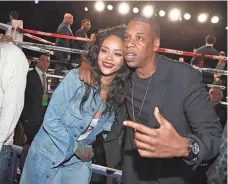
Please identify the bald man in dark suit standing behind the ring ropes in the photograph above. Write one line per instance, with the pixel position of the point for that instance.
(64, 28)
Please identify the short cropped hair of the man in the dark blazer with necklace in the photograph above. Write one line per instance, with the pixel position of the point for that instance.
(152, 22)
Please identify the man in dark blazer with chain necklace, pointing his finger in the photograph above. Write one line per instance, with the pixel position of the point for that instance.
(174, 127)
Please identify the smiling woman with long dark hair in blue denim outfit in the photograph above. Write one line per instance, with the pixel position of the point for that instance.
(62, 150)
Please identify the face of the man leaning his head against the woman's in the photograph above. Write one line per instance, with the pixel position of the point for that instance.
(138, 44)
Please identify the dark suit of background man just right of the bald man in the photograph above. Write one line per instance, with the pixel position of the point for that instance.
(82, 45)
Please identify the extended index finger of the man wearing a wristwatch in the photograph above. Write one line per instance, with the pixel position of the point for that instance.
(140, 128)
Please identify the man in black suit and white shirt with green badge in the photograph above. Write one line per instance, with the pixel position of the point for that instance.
(36, 101)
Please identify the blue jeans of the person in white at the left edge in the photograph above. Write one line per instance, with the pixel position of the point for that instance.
(4, 160)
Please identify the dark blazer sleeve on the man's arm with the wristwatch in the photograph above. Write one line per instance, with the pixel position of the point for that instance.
(205, 124)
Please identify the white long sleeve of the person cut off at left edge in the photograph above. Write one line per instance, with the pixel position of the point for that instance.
(13, 81)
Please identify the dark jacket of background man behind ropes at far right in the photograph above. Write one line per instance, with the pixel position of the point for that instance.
(208, 63)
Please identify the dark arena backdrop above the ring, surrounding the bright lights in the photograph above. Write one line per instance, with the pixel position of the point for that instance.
(181, 35)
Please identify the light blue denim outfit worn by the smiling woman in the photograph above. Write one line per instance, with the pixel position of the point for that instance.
(51, 155)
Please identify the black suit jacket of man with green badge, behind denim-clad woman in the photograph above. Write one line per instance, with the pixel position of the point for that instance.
(33, 112)
